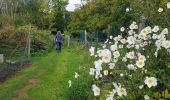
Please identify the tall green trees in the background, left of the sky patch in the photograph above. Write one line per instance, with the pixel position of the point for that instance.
(42, 13)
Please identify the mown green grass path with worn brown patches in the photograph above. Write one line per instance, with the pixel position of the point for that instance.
(45, 79)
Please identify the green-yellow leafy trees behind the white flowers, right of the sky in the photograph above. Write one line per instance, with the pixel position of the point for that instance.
(113, 14)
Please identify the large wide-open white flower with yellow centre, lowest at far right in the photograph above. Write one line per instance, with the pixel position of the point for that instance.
(150, 81)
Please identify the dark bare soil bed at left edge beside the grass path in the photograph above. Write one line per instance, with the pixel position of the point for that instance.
(7, 70)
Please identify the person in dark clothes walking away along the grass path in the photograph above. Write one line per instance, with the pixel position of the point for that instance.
(59, 41)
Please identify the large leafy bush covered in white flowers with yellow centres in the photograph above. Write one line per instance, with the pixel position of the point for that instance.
(132, 67)
